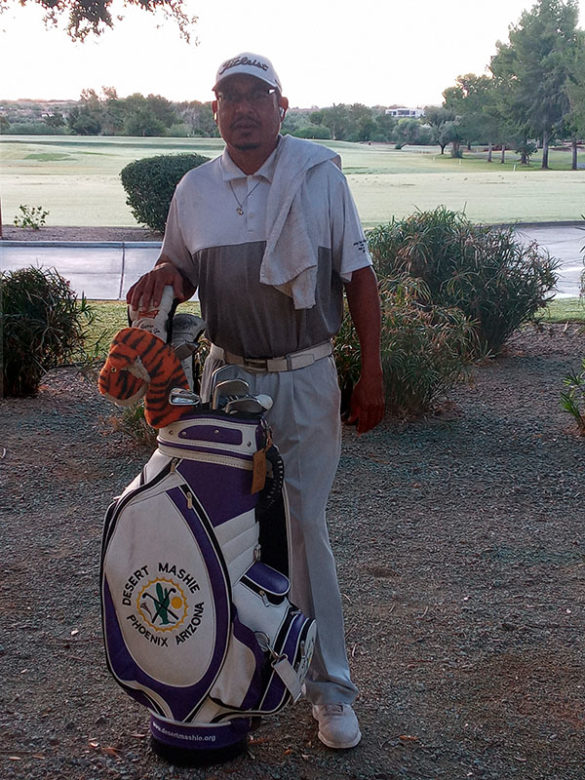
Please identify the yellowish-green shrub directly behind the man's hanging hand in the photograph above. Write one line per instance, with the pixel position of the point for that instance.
(424, 348)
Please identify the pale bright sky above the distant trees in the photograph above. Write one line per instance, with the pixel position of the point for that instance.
(375, 52)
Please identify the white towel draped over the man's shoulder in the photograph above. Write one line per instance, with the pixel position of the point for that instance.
(290, 258)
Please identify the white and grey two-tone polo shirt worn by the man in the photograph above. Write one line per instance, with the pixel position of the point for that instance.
(219, 250)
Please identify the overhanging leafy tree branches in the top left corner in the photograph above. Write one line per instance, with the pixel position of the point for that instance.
(85, 17)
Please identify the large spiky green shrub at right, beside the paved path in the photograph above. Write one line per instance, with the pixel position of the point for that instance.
(496, 281)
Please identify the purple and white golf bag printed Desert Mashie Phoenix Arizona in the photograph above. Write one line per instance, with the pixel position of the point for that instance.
(197, 622)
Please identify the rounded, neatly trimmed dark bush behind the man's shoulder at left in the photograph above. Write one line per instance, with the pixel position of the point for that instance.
(150, 184)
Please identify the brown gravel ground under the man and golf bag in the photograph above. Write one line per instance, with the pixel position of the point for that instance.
(461, 561)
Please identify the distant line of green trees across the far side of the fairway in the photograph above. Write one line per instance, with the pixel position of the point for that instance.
(533, 95)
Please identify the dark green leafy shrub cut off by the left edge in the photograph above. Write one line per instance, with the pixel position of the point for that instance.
(42, 323)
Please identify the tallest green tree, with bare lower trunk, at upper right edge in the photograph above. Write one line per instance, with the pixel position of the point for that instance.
(533, 68)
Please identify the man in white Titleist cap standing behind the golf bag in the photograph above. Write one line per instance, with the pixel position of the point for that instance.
(269, 235)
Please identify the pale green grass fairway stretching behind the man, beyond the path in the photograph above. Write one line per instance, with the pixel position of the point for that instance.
(77, 180)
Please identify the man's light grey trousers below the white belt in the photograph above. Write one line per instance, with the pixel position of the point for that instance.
(306, 428)
